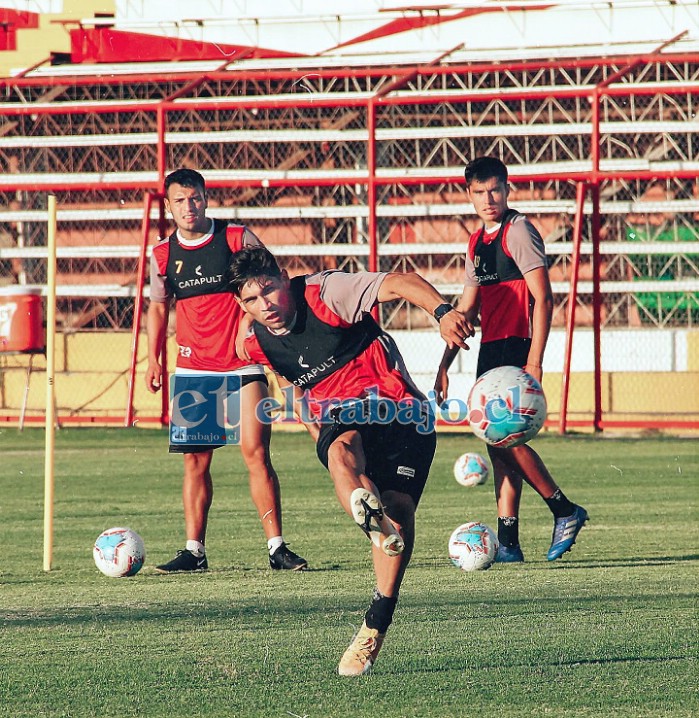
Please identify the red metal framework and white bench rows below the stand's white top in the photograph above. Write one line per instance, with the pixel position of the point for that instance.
(363, 168)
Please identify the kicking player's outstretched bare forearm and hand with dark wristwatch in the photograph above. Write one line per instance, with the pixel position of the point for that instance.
(453, 326)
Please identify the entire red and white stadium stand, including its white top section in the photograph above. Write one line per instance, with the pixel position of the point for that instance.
(346, 148)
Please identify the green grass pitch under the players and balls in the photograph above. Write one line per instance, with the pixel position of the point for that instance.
(609, 630)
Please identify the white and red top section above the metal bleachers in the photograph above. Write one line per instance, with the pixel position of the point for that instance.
(166, 35)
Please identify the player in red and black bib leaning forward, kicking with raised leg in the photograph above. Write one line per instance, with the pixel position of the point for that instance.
(375, 434)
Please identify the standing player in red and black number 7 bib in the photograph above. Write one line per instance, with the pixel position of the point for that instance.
(189, 266)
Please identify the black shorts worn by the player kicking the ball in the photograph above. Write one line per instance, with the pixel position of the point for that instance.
(398, 456)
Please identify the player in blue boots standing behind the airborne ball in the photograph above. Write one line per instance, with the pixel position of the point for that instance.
(507, 284)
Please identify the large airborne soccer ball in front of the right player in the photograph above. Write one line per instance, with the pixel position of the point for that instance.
(506, 407)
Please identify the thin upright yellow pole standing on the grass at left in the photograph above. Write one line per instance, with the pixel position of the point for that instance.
(50, 426)
